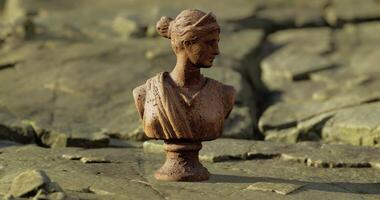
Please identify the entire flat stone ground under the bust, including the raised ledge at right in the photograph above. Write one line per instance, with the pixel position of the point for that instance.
(270, 171)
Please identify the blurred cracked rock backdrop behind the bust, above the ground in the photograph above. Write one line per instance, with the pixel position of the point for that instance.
(295, 65)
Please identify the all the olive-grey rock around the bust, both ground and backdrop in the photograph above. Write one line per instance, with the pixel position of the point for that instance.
(307, 75)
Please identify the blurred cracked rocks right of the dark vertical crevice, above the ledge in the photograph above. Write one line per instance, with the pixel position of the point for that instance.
(319, 76)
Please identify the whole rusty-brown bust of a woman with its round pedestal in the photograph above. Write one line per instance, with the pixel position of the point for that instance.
(182, 107)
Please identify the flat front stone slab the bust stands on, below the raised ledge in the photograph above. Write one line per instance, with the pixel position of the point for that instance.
(131, 176)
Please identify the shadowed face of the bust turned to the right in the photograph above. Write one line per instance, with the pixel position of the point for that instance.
(203, 51)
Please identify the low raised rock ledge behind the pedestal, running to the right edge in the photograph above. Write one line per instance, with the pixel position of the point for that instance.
(312, 154)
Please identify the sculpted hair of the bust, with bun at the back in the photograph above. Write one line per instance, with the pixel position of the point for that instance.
(189, 25)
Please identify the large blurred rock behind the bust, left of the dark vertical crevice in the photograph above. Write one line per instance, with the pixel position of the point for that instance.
(71, 85)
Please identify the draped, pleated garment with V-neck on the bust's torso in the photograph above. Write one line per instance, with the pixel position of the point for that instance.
(168, 115)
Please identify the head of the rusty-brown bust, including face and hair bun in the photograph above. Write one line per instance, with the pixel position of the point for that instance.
(193, 34)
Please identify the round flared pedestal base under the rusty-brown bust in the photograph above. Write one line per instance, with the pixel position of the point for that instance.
(182, 163)
